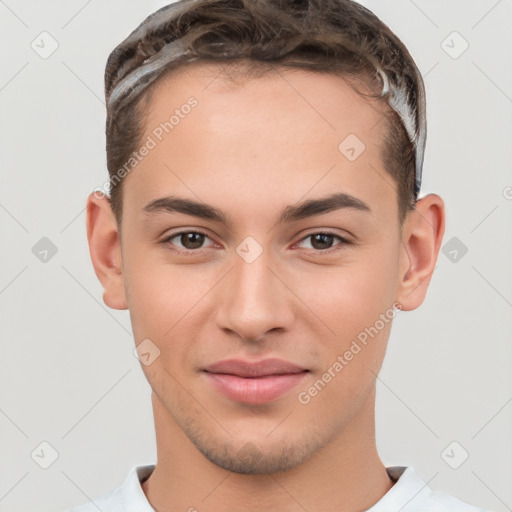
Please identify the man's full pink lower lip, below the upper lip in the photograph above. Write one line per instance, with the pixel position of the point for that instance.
(255, 390)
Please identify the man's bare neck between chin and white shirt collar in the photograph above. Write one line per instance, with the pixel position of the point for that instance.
(346, 475)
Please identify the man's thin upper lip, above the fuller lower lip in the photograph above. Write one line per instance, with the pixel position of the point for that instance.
(243, 368)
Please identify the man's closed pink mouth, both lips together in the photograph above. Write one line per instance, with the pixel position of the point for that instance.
(254, 382)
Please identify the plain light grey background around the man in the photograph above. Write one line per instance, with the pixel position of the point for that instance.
(68, 375)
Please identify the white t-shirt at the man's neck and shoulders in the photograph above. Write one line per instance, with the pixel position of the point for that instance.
(409, 494)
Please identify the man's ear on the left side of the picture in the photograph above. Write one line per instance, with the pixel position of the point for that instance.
(105, 249)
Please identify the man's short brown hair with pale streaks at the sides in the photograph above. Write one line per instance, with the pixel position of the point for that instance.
(335, 36)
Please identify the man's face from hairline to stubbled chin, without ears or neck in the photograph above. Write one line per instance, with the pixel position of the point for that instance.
(268, 312)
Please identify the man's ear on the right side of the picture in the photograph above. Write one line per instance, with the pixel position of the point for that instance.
(422, 235)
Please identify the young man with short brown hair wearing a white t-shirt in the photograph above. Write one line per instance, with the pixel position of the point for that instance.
(263, 228)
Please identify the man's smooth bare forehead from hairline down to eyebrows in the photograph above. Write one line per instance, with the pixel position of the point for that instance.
(283, 132)
